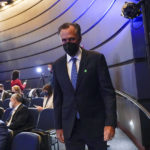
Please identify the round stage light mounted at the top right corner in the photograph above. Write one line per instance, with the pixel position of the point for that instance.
(131, 10)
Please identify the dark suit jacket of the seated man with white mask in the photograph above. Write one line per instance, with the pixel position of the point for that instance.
(22, 120)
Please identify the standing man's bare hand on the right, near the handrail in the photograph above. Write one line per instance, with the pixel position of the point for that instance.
(109, 132)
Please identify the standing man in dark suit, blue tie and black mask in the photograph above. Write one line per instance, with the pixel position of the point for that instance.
(84, 98)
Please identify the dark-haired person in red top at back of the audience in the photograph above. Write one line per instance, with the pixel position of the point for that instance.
(16, 81)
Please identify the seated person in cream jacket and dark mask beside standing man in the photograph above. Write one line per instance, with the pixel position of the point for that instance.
(48, 98)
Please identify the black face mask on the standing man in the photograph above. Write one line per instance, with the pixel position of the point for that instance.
(71, 48)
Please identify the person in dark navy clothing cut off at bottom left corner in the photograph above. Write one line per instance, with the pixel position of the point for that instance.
(3, 135)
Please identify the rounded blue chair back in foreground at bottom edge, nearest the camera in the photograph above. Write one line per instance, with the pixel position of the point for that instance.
(26, 141)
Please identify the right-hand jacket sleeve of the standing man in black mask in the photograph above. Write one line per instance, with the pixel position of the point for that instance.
(107, 92)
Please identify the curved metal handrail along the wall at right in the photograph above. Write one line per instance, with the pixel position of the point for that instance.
(134, 101)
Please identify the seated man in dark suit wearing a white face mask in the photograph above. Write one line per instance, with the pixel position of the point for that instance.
(20, 118)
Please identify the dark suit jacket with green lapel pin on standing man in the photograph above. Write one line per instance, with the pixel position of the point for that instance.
(94, 97)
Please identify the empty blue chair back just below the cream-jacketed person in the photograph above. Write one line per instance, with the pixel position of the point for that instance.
(46, 120)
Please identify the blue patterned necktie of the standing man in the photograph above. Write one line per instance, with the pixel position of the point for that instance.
(74, 72)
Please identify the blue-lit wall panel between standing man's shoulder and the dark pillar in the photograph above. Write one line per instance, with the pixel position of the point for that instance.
(119, 49)
